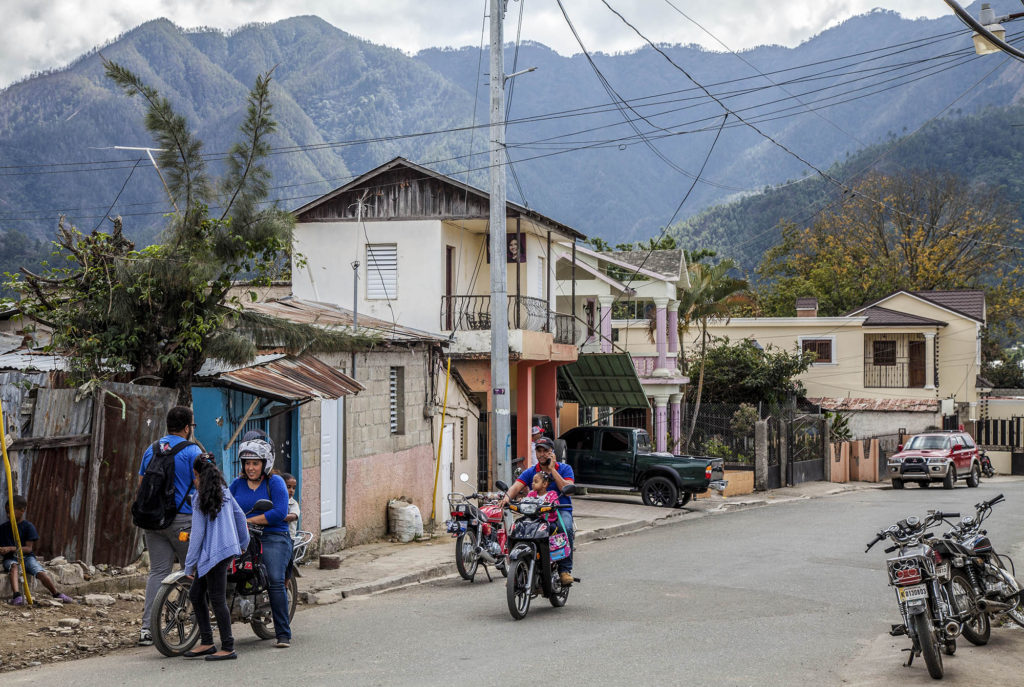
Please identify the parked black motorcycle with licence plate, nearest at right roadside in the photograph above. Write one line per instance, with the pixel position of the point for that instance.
(933, 609)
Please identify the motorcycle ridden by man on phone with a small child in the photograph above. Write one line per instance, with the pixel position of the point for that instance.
(534, 551)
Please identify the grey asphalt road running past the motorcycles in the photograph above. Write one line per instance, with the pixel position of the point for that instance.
(780, 595)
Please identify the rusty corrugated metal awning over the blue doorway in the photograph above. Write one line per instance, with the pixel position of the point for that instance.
(291, 379)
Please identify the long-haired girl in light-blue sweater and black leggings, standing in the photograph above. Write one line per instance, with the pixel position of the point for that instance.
(219, 534)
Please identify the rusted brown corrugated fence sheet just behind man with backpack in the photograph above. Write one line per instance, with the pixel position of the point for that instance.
(118, 542)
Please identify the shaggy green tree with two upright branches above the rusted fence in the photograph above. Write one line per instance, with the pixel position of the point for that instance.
(162, 311)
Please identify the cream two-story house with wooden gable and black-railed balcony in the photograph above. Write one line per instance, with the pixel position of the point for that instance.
(408, 245)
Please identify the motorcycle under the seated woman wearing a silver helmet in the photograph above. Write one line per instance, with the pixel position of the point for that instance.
(173, 618)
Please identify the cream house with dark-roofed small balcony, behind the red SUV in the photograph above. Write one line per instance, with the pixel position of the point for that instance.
(890, 364)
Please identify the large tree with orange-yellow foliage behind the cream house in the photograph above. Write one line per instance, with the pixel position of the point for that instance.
(913, 232)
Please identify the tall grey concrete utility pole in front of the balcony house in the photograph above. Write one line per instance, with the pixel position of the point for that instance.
(501, 419)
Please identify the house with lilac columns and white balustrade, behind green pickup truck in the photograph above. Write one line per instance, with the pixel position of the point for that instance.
(629, 302)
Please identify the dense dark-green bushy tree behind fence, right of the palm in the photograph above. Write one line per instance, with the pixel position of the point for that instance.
(744, 373)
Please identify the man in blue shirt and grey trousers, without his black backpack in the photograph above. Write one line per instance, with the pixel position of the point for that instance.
(164, 545)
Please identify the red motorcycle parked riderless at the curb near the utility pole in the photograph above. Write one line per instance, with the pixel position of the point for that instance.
(480, 532)
